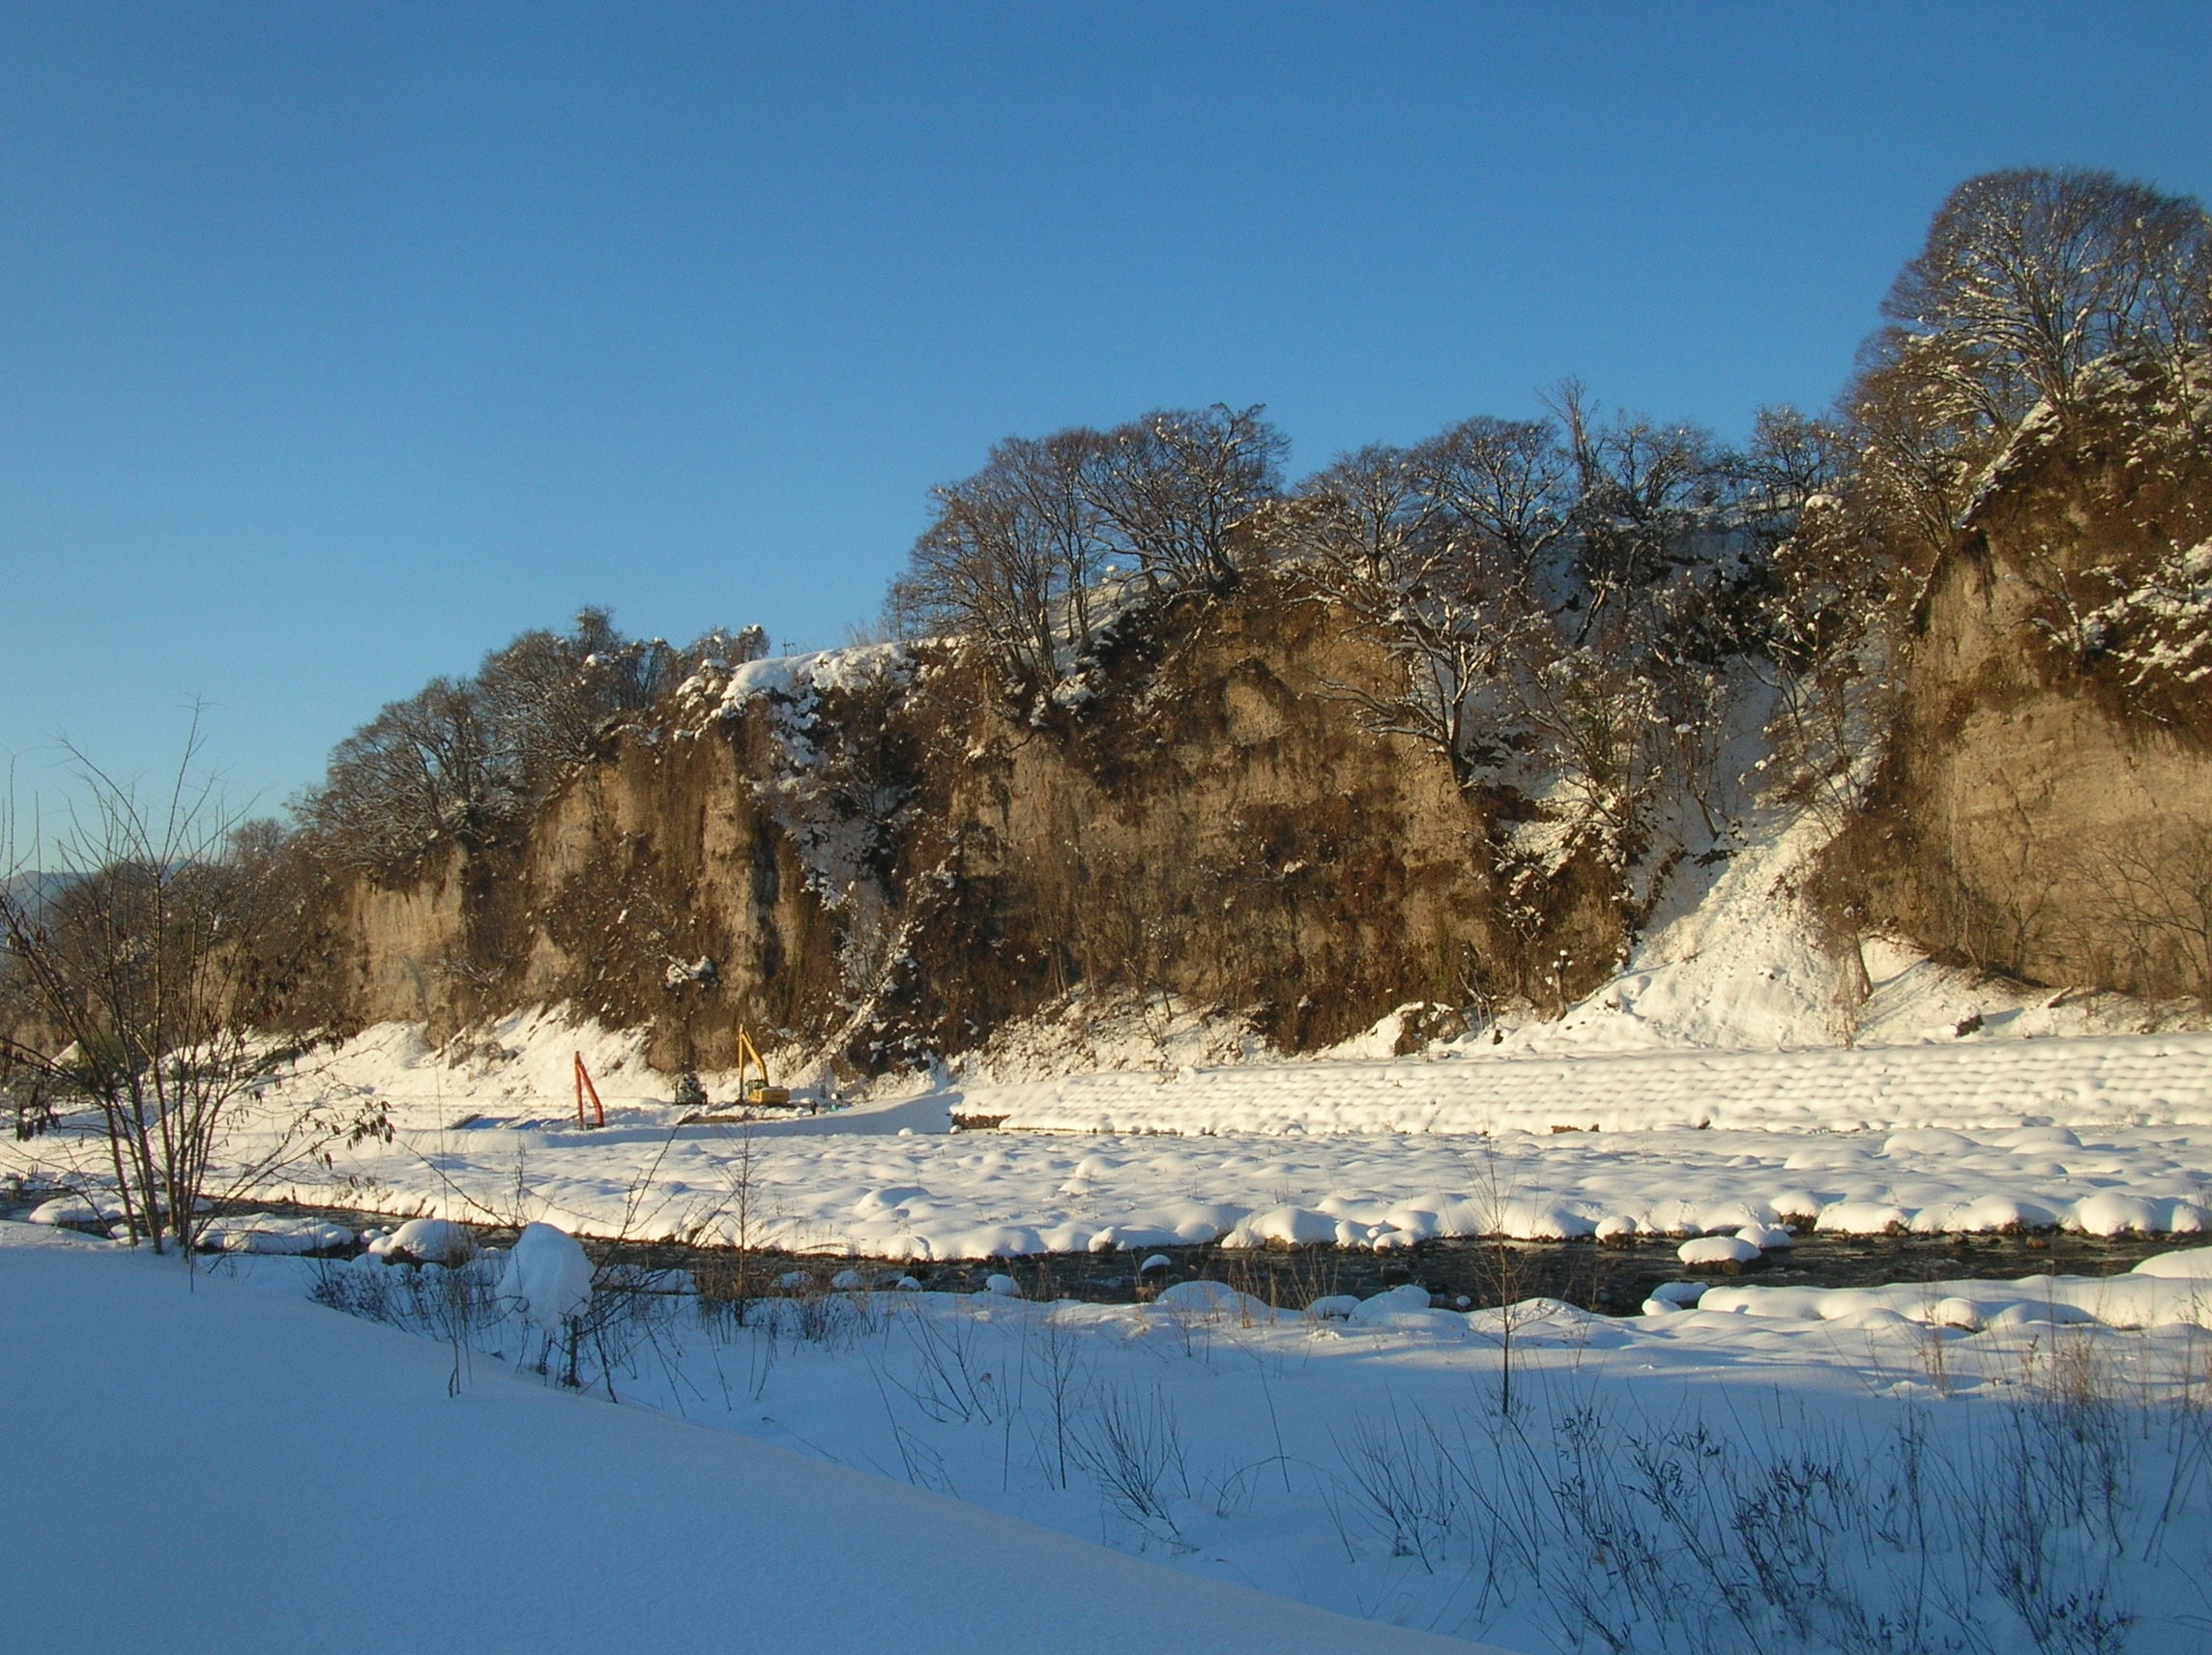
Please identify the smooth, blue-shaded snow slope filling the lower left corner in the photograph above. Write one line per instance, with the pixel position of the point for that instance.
(225, 1470)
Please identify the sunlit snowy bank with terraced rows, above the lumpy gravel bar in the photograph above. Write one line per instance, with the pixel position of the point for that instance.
(2125, 1081)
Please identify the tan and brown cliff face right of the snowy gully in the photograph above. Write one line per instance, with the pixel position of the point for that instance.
(2047, 809)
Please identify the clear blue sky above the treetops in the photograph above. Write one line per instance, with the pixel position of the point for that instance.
(342, 342)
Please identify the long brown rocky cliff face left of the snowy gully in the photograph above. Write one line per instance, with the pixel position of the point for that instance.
(875, 855)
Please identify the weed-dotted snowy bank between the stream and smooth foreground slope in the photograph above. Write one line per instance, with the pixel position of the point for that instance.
(1992, 1464)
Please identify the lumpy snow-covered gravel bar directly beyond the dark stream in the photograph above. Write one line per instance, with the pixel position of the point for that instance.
(1005, 1194)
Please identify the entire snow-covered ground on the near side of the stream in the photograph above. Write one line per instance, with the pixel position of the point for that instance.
(1950, 1466)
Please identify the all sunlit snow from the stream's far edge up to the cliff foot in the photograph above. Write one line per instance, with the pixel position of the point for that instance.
(1691, 1094)
